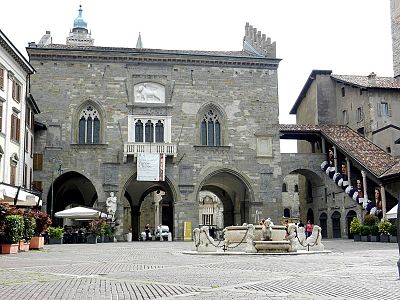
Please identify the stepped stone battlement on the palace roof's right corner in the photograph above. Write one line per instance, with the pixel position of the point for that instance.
(256, 42)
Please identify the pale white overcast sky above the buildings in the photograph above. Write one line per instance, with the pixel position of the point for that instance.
(349, 37)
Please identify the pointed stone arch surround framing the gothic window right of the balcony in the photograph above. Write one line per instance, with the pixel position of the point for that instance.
(222, 117)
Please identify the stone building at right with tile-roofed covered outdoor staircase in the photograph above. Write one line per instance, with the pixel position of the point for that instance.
(356, 118)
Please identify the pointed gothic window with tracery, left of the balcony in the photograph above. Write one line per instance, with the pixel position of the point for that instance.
(89, 126)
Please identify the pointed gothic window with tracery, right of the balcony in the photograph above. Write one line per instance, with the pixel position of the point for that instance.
(210, 129)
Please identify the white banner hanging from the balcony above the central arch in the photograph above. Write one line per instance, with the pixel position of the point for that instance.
(151, 167)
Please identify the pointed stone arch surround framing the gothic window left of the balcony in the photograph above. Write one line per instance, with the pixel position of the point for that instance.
(77, 115)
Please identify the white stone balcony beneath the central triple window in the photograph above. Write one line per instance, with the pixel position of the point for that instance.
(168, 149)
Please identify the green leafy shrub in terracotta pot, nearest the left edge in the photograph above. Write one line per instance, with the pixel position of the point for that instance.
(12, 233)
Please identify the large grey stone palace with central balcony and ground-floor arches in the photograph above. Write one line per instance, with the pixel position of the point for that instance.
(210, 116)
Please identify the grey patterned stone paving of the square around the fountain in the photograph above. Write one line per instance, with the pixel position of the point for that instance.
(154, 270)
